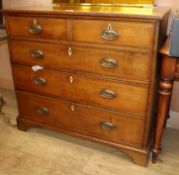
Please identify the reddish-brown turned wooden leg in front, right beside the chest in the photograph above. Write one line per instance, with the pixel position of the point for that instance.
(164, 96)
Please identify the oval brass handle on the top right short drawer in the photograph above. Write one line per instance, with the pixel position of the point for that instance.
(109, 33)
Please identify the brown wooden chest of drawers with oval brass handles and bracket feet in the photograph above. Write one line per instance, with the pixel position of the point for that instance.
(91, 74)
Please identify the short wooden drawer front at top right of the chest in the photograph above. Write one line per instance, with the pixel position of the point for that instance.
(122, 33)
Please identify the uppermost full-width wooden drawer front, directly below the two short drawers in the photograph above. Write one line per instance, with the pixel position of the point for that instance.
(118, 64)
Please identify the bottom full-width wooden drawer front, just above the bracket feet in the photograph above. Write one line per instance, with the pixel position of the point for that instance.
(88, 121)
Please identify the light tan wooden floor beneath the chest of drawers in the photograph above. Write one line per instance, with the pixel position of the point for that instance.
(45, 152)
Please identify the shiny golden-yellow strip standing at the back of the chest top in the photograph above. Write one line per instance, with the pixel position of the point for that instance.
(107, 2)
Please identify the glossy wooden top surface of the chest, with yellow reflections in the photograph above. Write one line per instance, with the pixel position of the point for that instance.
(115, 11)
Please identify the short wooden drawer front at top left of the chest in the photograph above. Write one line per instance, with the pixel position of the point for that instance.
(37, 27)
